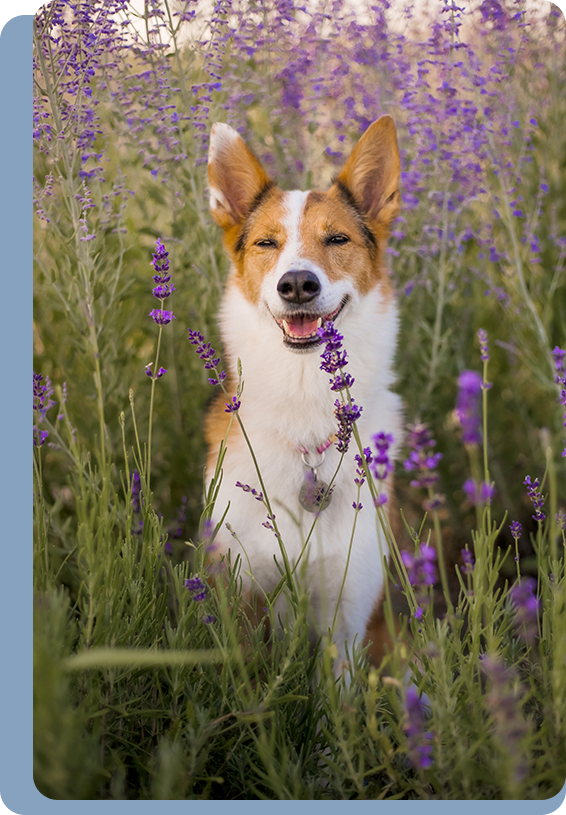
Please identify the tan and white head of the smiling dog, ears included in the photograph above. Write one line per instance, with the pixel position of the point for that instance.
(306, 257)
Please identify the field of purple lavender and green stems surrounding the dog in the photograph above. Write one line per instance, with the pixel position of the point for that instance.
(149, 684)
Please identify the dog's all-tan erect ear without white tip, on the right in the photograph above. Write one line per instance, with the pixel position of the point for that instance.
(373, 170)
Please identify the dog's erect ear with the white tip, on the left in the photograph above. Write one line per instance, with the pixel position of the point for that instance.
(235, 176)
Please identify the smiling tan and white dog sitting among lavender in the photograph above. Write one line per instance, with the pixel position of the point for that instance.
(298, 260)
